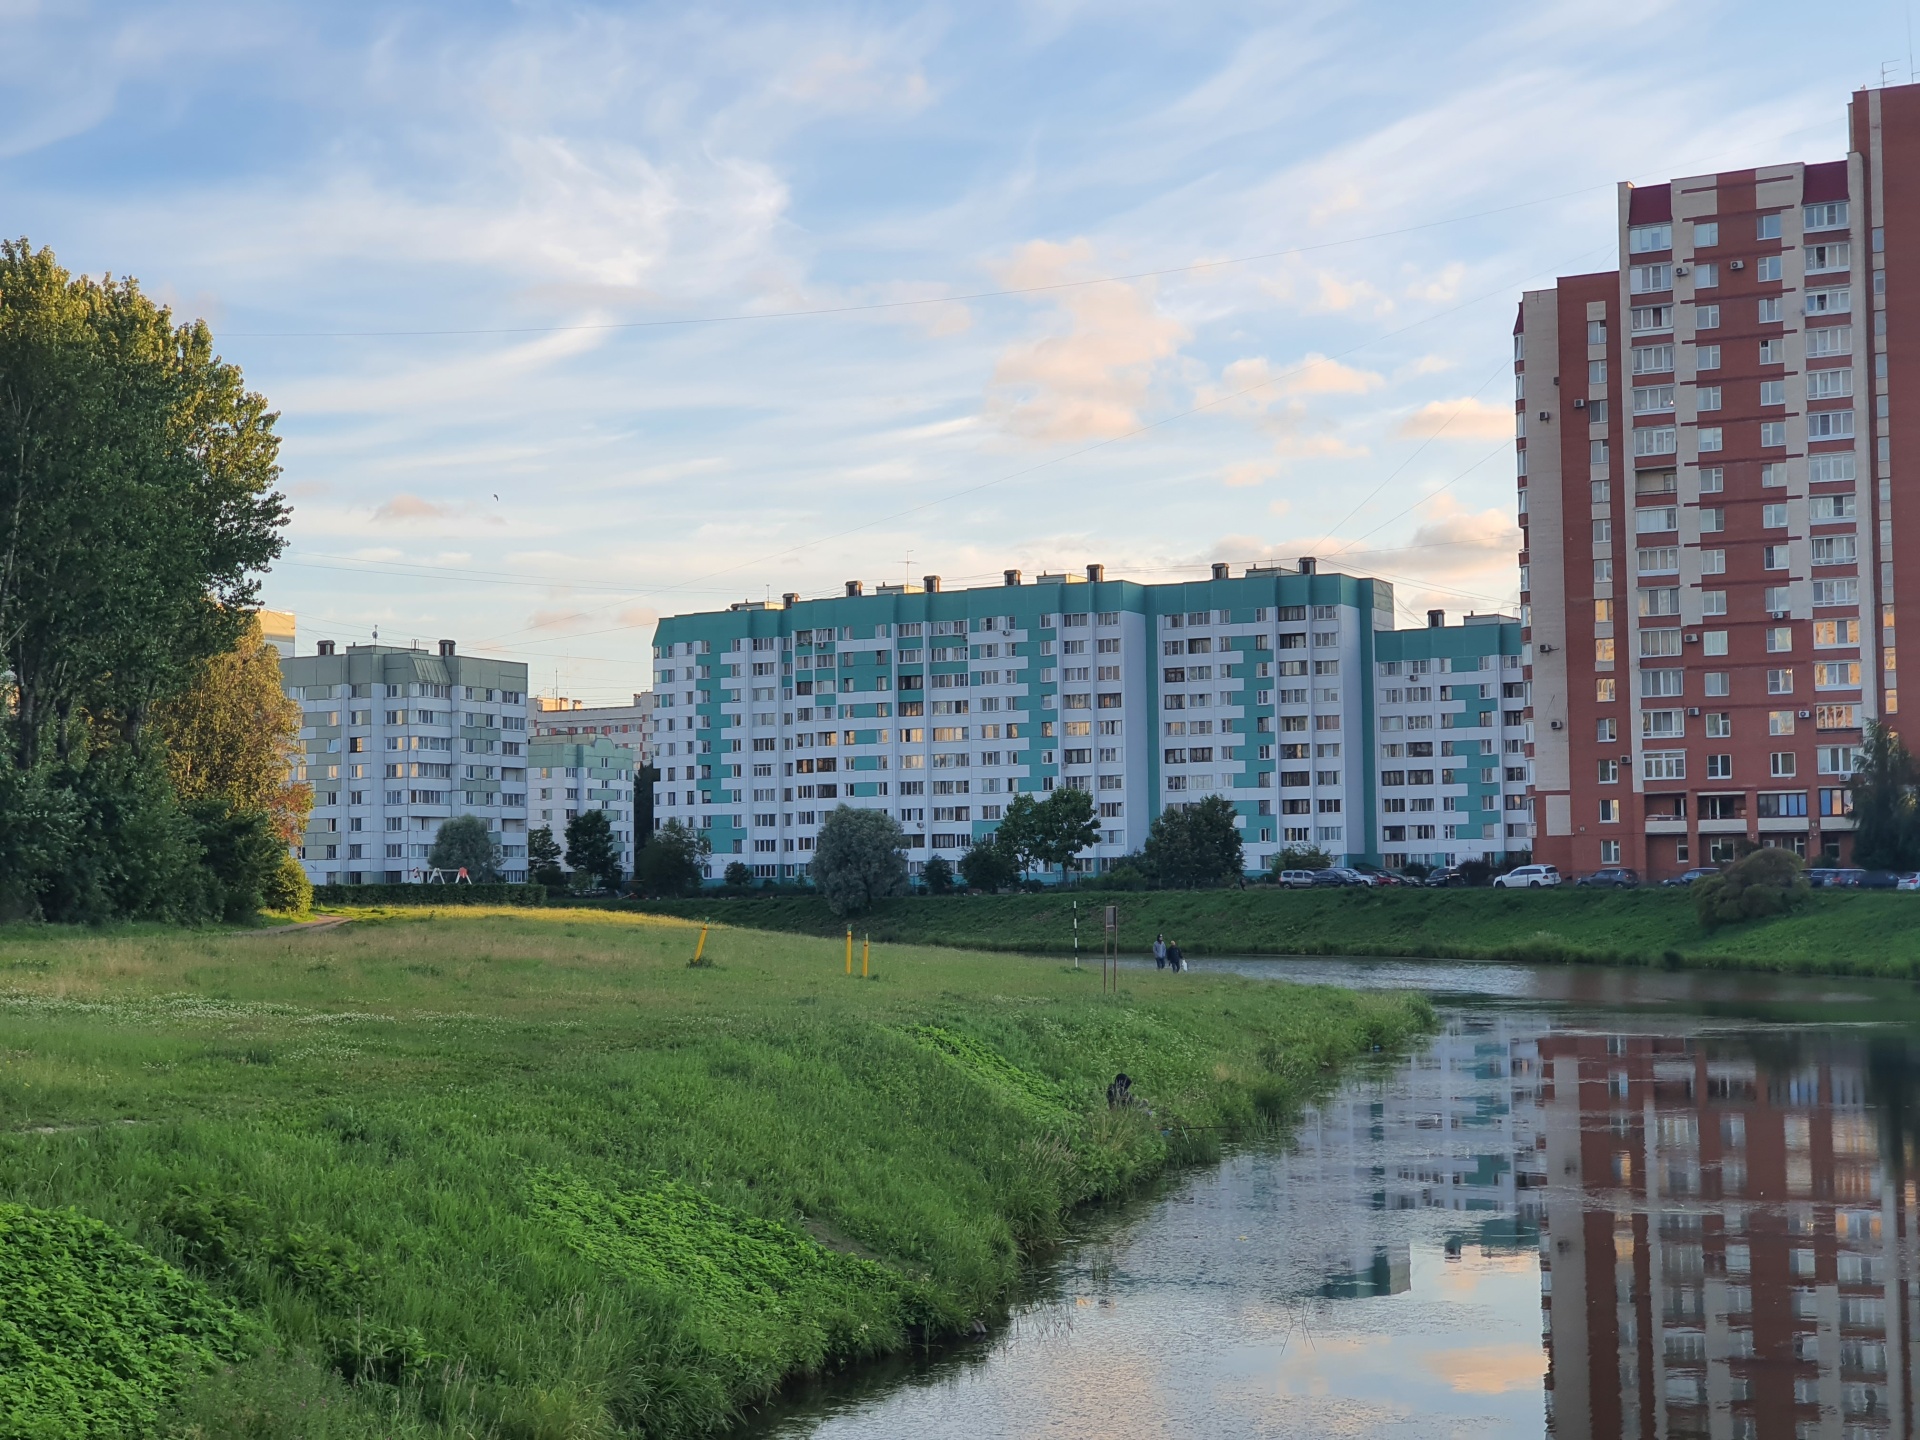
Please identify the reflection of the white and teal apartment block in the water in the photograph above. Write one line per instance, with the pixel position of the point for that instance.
(1458, 1128)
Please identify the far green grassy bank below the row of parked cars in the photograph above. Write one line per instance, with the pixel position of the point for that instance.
(1838, 932)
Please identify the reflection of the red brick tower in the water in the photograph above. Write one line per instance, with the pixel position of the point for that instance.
(1721, 1249)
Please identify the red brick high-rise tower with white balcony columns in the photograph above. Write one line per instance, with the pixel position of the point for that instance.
(1717, 540)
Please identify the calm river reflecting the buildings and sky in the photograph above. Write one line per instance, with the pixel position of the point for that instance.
(1598, 1203)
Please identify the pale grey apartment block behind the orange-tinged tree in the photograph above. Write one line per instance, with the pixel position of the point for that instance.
(396, 742)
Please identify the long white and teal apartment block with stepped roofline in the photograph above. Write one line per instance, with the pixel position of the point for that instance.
(940, 706)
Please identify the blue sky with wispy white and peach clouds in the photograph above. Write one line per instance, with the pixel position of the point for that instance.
(443, 241)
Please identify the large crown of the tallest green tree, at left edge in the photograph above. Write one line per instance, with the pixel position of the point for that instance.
(135, 502)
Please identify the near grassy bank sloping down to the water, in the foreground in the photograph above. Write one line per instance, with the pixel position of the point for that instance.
(529, 1174)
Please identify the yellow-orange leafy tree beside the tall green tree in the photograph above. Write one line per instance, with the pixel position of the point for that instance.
(233, 734)
